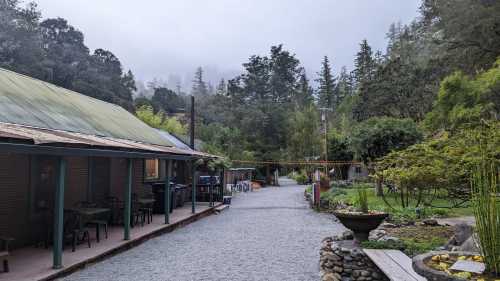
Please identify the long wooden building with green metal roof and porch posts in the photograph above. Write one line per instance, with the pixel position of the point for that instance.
(59, 148)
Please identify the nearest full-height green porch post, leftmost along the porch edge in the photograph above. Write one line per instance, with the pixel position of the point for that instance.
(59, 215)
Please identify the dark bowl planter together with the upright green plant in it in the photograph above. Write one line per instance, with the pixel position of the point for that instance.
(362, 220)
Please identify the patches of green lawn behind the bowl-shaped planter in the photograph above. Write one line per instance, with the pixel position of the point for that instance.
(376, 203)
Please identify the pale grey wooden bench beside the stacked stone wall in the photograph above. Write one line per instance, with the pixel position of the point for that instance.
(394, 264)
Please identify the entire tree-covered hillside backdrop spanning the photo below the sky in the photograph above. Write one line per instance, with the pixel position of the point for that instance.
(437, 72)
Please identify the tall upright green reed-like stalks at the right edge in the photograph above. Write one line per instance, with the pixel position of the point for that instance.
(486, 206)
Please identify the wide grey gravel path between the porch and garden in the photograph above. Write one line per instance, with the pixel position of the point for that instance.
(266, 235)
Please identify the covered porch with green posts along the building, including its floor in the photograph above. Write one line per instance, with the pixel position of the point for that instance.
(41, 183)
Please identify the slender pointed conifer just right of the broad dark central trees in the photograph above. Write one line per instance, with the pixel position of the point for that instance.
(326, 90)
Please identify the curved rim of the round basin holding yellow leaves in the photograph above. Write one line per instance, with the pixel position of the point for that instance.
(420, 265)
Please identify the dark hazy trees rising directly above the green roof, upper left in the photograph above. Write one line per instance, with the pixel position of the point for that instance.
(54, 51)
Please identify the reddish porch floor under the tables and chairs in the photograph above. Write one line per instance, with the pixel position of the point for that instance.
(36, 263)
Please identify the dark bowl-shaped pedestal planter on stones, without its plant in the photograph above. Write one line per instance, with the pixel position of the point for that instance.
(360, 223)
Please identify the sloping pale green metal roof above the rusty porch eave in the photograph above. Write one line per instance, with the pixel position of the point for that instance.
(31, 102)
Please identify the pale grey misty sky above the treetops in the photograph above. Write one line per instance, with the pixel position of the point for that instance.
(163, 38)
